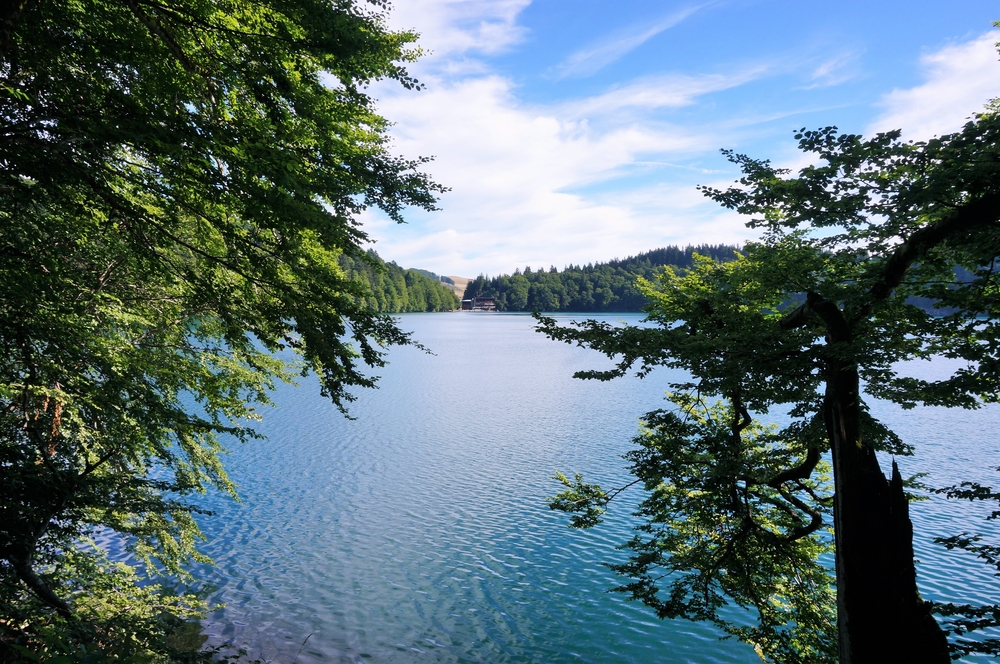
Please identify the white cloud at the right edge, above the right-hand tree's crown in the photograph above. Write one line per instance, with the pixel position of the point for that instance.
(960, 79)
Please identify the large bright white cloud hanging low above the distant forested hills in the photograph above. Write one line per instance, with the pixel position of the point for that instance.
(518, 175)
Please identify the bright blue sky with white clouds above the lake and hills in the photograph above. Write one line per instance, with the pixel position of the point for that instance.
(576, 131)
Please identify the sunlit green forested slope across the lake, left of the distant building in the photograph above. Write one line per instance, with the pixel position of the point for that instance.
(397, 290)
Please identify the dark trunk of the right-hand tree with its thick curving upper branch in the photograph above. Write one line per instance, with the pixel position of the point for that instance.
(880, 615)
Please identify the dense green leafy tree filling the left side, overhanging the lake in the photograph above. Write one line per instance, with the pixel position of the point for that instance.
(178, 179)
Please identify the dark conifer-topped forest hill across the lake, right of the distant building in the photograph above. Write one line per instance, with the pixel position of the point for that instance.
(593, 287)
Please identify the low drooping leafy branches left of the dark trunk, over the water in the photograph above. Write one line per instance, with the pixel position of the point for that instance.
(718, 527)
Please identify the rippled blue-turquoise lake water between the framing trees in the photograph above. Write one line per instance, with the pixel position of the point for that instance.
(418, 532)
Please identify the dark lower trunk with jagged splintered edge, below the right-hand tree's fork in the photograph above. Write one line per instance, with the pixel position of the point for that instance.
(881, 617)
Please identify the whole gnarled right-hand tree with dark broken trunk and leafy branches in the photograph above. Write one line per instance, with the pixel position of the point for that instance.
(823, 305)
